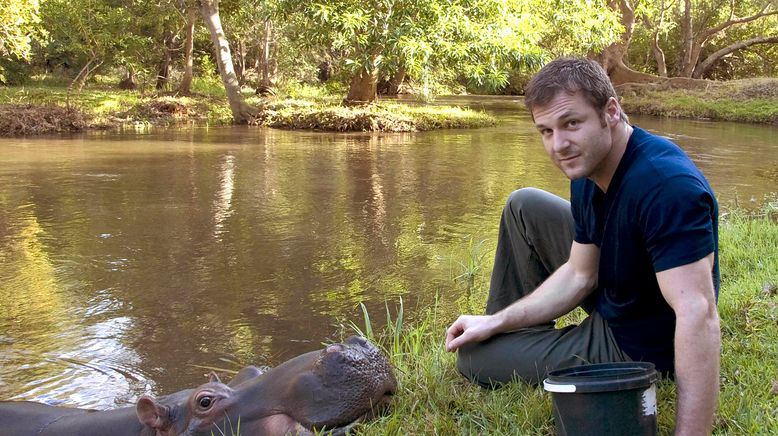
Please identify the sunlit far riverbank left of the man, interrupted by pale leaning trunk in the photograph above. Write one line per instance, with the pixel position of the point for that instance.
(46, 109)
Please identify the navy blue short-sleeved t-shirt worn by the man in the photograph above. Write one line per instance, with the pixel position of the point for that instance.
(659, 213)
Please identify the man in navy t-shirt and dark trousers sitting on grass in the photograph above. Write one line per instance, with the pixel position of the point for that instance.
(637, 248)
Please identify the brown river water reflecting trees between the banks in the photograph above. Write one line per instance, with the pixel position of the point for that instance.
(129, 261)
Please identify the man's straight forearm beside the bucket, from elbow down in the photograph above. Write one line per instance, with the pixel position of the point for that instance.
(697, 354)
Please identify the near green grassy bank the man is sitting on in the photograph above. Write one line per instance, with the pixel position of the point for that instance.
(434, 399)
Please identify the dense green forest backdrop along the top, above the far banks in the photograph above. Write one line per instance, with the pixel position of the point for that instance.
(365, 47)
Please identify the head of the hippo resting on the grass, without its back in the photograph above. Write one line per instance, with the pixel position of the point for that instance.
(329, 389)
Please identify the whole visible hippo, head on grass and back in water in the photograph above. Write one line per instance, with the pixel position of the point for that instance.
(331, 389)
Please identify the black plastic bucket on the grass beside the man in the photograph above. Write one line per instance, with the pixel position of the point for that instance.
(604, 399)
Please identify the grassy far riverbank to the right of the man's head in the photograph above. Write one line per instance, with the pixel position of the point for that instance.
(748, 100)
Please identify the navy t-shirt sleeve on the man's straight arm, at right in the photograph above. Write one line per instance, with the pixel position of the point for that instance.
(678, 223)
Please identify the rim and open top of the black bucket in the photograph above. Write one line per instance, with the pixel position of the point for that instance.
(601, 377)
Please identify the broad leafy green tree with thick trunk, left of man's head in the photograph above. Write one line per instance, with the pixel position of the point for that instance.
(476, 40)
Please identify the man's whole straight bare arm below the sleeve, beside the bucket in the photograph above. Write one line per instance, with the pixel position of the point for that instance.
(689, 291)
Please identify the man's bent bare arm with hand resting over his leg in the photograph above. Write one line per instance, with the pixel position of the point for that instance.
(556, 296)
